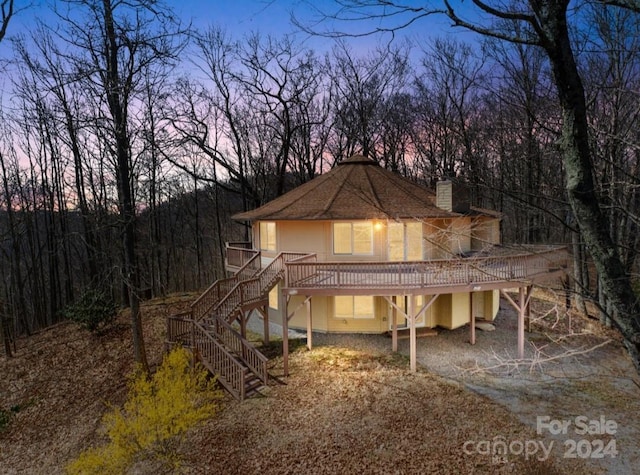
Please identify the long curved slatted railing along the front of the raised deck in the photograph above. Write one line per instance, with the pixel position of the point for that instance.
(308, 273)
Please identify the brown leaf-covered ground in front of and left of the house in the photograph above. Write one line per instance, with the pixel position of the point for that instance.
(347, 407)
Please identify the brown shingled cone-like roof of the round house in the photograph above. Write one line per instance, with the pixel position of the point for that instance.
(357, 188)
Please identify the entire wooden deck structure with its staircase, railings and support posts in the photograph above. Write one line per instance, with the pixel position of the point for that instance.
(240, 367)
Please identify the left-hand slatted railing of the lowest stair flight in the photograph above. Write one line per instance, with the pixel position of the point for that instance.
(219, 361)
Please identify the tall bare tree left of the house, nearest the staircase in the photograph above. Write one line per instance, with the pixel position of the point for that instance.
(113, 46)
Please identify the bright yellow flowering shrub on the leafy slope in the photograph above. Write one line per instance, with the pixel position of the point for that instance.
(156, 415)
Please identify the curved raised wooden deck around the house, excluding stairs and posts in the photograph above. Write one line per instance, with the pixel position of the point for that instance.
(497, 268)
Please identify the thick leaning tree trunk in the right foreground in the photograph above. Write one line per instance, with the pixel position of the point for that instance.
(580, 185)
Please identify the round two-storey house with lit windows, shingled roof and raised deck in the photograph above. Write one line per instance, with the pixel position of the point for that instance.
(362, 249)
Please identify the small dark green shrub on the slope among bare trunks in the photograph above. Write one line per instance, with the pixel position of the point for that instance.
(95, 310)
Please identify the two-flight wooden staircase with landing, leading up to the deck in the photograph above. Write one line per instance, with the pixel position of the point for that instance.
(207, 326)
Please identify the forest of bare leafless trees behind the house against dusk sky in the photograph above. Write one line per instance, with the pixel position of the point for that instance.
(128, 139)
